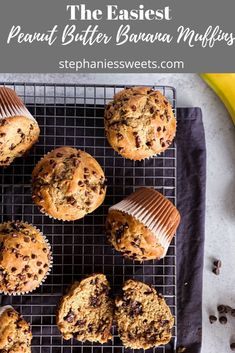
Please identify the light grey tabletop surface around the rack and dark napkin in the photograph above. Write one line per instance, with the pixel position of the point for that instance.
(220, 210)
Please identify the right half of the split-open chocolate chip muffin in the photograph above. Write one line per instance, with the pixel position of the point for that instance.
(143, 318)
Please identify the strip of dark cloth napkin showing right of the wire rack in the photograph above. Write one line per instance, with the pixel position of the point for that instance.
(191, 170)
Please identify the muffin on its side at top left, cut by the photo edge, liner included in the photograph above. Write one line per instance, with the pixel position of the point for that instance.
(18, 129)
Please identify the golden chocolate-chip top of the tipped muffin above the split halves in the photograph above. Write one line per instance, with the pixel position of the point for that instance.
(131, 237)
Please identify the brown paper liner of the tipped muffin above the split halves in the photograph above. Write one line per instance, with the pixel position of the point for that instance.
(153, 210)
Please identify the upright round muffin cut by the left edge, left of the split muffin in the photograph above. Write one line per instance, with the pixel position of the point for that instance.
(25, 258)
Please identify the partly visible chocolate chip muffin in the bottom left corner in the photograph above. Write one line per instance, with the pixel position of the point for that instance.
(15, 332)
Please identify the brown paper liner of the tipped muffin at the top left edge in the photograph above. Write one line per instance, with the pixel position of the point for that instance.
(11, 105)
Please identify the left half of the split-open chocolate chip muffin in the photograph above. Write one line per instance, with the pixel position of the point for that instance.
(86, 311)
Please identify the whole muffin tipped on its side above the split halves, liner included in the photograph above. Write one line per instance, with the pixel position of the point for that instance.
(142, 225)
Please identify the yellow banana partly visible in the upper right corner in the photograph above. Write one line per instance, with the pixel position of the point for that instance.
(224, 87)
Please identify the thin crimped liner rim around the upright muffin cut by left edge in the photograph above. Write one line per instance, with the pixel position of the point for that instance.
(50, 261)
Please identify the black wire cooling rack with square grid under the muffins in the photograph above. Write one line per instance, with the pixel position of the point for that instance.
(73, 115)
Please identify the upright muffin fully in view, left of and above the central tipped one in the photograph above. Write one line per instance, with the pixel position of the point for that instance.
(68, 184)
